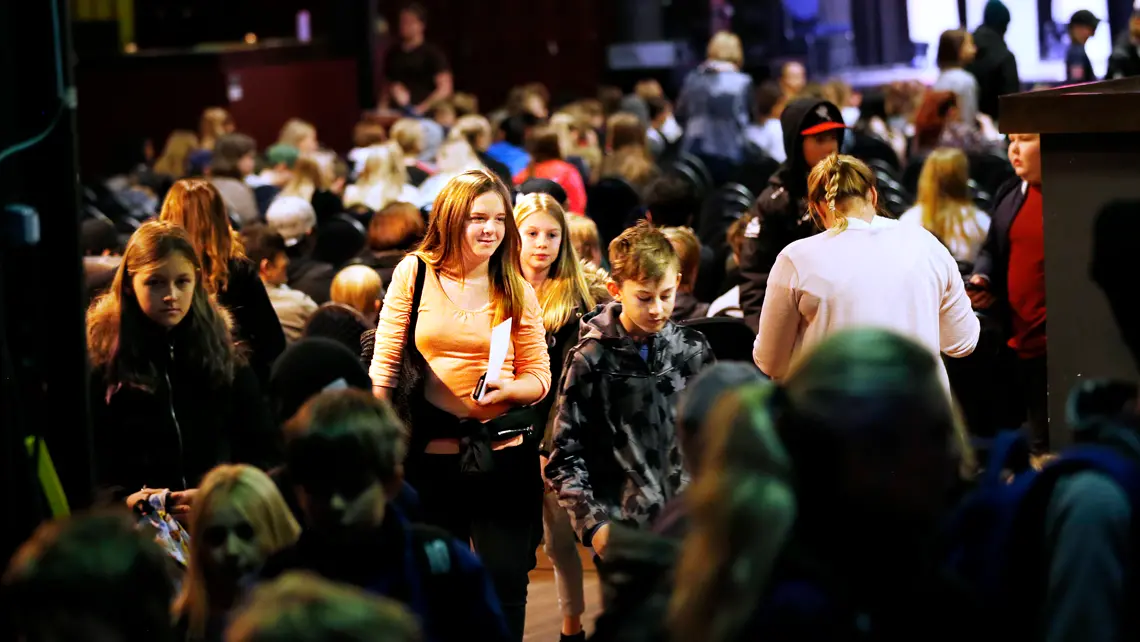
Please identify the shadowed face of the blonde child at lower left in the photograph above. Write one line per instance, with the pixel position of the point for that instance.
(231, 546)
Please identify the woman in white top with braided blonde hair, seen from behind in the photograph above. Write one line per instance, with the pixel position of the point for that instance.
(862, 271)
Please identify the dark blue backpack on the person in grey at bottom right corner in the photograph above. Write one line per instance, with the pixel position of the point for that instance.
(998, 538)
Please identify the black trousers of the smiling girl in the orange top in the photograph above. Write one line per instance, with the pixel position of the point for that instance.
(498, 511)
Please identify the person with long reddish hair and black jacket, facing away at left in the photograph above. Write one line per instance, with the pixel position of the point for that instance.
(198, 207)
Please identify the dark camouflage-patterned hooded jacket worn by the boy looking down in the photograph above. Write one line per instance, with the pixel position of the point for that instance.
(616, 454)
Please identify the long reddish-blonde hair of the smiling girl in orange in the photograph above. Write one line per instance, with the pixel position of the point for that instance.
(443, 245)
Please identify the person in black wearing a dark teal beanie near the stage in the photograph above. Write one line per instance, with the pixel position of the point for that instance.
(995, 66)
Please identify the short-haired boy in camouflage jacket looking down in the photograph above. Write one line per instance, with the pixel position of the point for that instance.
(616, 452)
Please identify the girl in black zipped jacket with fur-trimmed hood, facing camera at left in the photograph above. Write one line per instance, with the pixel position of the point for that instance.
(172, 395)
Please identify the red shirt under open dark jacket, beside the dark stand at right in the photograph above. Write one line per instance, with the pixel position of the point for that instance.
(1028, 278)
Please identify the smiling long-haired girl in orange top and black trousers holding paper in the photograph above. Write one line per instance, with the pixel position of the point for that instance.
(471, 461)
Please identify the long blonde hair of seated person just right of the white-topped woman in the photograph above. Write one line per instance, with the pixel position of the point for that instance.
(943, 192)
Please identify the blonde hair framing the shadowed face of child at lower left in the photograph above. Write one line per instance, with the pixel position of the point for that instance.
(255, 495)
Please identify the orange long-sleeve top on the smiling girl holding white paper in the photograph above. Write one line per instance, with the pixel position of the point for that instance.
(455, 344)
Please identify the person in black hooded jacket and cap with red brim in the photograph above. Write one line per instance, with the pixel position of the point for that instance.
(812, 133)
